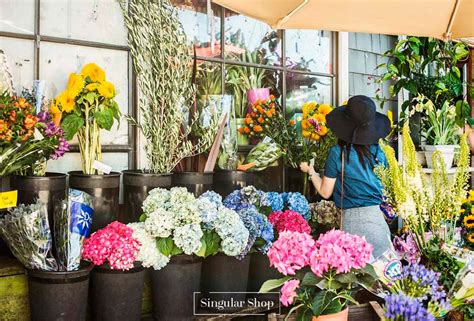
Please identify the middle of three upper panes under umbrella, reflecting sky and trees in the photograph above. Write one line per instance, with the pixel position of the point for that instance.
(250, 40)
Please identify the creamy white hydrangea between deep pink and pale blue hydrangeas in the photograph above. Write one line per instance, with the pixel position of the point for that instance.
(148, 254)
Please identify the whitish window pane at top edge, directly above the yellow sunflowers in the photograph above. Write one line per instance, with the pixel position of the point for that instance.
(93, 20)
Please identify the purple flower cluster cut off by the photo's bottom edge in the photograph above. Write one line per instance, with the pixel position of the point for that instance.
(398, 306)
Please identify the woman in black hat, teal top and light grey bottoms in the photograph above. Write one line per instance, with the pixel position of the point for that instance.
(349, 173)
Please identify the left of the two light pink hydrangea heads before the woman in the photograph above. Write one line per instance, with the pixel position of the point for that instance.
(291, 252)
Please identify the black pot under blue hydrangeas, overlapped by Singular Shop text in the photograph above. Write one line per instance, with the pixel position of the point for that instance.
(222, 273)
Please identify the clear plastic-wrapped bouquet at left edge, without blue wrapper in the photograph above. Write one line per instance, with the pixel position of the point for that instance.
(26, 231)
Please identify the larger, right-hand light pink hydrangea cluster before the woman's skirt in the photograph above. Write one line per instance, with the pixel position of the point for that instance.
(340, 251)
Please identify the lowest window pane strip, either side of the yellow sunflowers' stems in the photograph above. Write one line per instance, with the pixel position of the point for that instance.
(72, 162)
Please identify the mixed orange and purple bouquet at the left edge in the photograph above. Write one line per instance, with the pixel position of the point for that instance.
(27, 138)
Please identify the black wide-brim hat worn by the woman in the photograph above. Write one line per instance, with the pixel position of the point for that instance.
(358, 122)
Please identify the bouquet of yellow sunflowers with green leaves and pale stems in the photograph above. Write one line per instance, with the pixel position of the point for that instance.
(87, 105)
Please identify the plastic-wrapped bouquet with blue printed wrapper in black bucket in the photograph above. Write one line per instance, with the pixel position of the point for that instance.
(72, 224)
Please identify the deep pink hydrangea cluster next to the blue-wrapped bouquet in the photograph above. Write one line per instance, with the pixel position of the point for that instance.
(113, 243)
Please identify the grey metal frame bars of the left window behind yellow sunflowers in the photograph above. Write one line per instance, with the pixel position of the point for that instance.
(38, 38)
